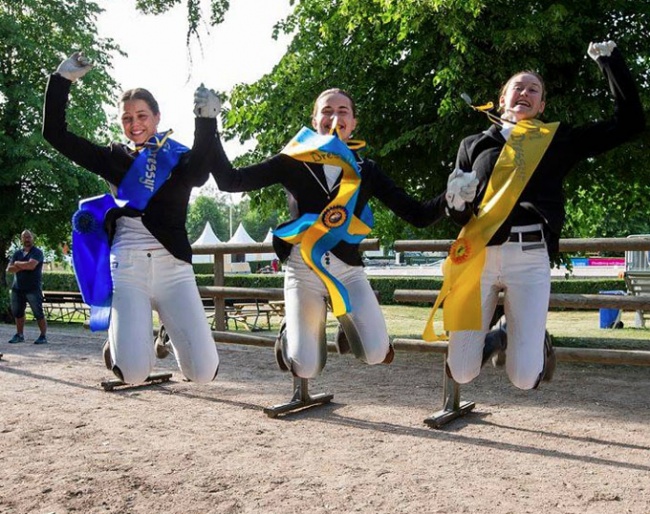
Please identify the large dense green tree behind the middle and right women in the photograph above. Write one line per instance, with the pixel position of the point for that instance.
(406, 64)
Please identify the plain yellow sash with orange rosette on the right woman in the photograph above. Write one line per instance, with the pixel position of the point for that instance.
(462, 269)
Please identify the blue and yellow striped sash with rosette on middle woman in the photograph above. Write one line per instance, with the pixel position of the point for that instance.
(319, 233)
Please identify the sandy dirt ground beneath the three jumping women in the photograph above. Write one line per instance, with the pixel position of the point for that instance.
(580, 444)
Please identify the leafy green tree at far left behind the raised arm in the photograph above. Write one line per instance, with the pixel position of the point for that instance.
(39, 189)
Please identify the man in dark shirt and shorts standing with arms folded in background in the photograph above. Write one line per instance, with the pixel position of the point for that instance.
(27, 266)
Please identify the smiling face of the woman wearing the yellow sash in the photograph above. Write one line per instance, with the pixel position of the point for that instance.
(522, 98)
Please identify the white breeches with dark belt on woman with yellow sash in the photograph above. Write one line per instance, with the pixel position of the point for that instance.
(525, 277)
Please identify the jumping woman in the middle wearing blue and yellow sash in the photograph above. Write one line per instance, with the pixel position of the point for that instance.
(329, 187)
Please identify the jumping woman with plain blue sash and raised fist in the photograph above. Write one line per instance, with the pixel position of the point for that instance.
(130, 248)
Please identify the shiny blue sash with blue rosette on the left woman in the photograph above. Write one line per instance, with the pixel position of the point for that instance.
(90, 241)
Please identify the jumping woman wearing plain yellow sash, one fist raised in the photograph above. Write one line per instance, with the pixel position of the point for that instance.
(516, 221)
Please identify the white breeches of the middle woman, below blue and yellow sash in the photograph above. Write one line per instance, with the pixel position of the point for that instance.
(306, 312)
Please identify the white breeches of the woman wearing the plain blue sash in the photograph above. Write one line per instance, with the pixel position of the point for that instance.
(154, 279)
